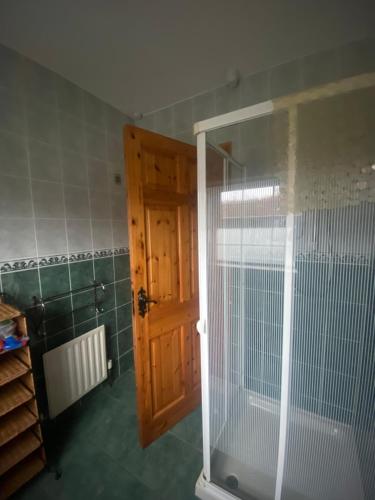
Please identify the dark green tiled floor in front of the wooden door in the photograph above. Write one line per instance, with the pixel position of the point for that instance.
(100, 457)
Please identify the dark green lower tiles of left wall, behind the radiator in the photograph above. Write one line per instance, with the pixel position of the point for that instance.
(72, 315)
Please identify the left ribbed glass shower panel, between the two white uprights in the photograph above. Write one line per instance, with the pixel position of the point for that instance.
(245, 255)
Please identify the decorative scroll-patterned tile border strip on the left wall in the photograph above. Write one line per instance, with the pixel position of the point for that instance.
(34, 263)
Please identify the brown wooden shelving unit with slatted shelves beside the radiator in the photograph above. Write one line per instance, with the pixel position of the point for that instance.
(21, 446)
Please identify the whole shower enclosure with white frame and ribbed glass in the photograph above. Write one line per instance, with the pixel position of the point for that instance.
(286, 257)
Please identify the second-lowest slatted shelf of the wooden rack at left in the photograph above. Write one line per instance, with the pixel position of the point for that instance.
(18, 449)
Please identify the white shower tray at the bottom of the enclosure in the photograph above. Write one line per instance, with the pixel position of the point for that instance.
(321, 462)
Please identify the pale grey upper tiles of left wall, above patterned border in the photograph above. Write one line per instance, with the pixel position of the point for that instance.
(60, 148)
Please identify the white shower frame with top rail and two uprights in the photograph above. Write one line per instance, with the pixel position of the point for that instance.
(205, 489)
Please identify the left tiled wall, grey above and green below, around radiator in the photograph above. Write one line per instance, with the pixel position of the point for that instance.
(62, 215)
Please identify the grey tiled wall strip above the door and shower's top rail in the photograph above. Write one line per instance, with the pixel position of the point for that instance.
(177, 120)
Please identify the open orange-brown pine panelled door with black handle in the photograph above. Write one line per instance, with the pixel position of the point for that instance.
(162, 214)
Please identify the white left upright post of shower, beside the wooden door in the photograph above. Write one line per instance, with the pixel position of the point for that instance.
(203, 308)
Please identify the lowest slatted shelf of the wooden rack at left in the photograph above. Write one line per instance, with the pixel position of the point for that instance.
(21, 474)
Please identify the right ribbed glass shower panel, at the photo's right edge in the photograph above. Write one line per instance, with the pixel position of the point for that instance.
(331, 438)
